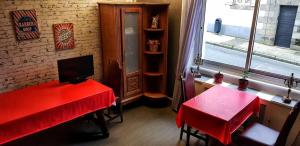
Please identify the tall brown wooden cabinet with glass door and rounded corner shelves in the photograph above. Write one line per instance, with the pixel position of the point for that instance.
(125, 30)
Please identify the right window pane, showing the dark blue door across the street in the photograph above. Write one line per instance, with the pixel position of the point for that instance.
(277, 40)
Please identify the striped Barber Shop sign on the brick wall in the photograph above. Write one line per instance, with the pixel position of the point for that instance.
(26, 25)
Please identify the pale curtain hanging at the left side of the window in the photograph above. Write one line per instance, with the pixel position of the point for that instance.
(190, 42)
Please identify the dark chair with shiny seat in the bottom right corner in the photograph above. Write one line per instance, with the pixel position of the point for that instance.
(260, 135)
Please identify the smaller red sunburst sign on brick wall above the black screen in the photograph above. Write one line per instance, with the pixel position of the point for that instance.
(63, 36)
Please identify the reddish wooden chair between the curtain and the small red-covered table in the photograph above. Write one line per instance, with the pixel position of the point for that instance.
(188, 92)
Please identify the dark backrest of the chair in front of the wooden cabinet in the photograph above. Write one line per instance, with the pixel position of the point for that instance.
(115, 78)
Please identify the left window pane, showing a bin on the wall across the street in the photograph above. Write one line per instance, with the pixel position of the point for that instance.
(228, 25)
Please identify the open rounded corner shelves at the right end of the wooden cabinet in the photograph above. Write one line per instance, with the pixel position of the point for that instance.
(155, 62)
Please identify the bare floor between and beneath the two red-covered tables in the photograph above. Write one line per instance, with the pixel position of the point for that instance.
(142, 126)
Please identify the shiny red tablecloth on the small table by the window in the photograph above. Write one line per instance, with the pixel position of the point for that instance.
(218, 112)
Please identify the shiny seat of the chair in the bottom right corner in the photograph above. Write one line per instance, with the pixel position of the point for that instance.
(259, 135)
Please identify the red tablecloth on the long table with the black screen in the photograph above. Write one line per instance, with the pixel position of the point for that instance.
(32, 109)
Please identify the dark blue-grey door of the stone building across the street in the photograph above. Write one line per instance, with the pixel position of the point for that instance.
(285, 25)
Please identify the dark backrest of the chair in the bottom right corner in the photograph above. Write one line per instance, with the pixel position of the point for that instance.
(287, 126)
